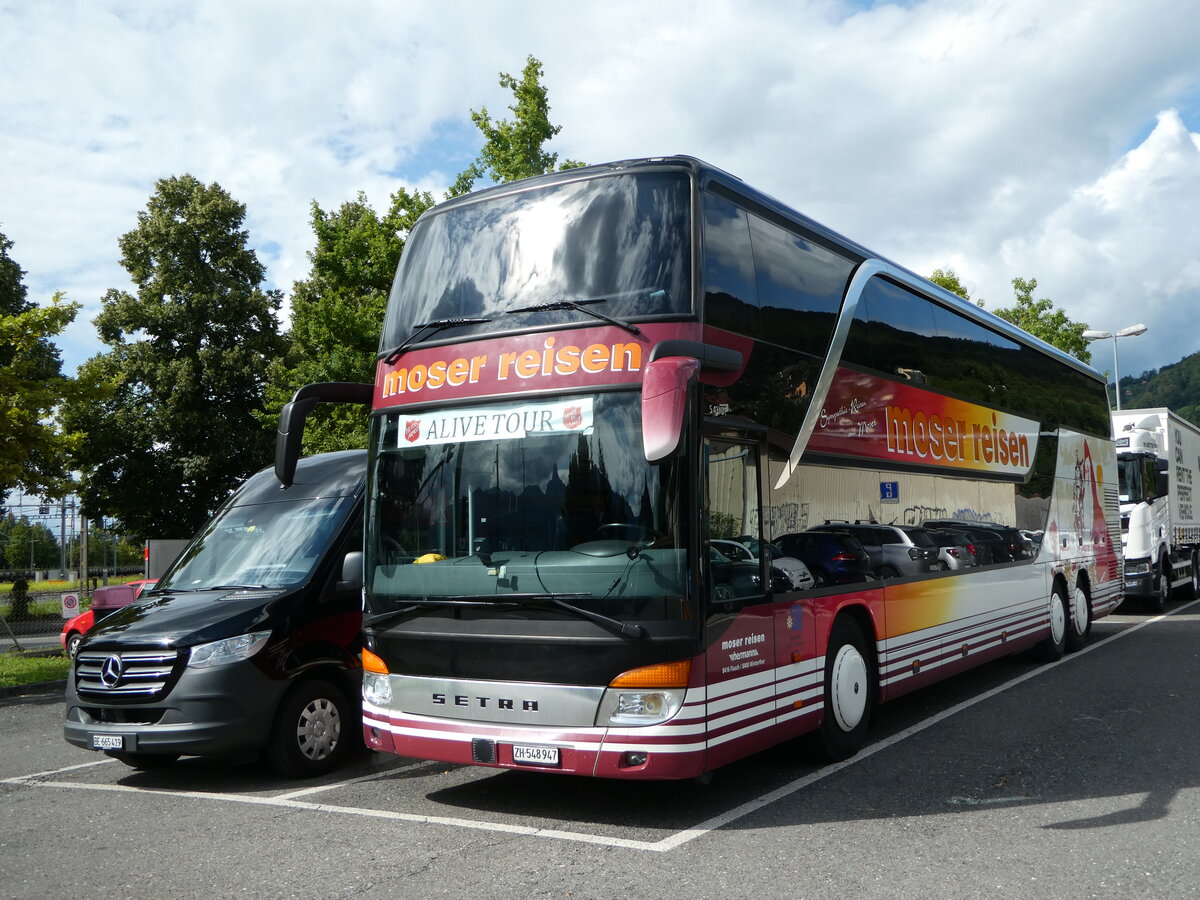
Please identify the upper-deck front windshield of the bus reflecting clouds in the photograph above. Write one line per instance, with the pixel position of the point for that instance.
(620, 239)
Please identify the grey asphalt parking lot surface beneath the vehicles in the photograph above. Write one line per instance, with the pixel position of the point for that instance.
(1077, 779)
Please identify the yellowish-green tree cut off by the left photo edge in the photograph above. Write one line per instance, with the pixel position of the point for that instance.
(33, 448)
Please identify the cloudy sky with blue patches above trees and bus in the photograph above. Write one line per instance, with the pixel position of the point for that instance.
(999, 139)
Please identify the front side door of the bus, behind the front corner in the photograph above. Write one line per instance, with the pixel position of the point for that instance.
(739, 625)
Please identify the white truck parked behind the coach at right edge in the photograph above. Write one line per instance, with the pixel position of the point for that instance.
(1159, 459)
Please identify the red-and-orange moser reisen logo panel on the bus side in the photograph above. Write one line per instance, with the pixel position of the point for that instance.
(878, 419)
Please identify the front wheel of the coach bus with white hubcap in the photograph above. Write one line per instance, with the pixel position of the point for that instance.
(849, 691)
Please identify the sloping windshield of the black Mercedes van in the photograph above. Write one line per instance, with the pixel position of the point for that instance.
(263, 545)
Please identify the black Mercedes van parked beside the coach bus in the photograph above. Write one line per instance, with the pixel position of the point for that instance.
(249, 644)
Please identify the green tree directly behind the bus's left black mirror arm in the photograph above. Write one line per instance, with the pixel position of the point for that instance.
(338, 313)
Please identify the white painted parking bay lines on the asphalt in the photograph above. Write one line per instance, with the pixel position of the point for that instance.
(659, 847)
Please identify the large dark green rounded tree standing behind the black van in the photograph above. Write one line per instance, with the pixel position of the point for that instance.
(188, 367)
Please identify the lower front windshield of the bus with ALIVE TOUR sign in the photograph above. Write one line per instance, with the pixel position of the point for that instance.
(513, 502)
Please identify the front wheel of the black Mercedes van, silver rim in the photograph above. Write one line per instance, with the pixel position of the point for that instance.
(308, 736)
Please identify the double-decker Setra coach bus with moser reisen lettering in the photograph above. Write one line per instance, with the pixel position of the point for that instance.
(592, 382)
